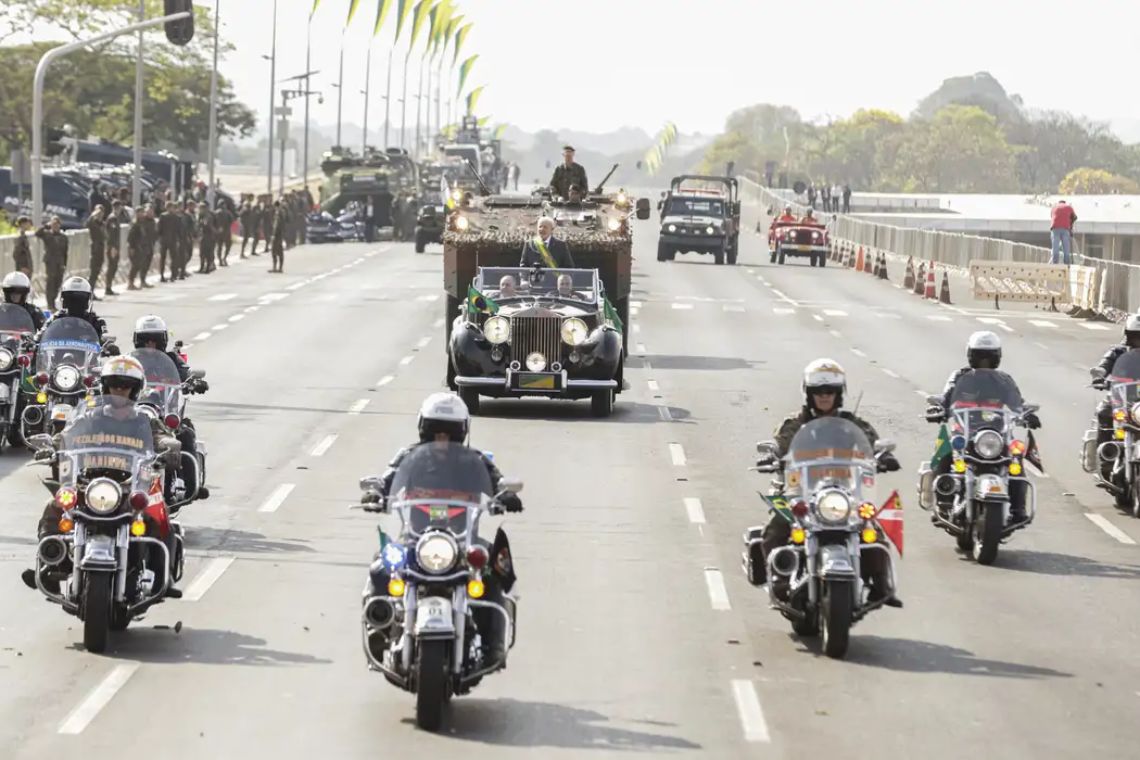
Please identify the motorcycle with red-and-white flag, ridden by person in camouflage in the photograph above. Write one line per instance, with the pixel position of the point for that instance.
(828, 480)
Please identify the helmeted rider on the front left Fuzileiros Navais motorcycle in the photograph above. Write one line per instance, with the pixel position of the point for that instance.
(123, 381)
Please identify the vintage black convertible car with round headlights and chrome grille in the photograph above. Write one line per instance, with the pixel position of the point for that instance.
(536, 333)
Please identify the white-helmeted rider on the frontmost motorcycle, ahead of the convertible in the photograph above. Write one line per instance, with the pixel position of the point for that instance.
(444, 419)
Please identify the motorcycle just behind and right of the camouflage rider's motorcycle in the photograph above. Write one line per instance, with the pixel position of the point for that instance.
(987, 463)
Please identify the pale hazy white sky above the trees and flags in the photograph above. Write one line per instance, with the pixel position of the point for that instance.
(604, 64)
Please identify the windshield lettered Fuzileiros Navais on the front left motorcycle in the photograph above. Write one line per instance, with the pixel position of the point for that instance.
(107, 437)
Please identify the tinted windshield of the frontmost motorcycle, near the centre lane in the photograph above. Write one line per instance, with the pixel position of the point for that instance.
(437, 485)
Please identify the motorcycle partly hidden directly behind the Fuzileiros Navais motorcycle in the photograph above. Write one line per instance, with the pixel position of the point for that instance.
(165, 399)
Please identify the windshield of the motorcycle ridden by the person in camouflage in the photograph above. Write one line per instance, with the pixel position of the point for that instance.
(829, 452)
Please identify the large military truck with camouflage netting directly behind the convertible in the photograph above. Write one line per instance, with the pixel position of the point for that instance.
(494, 230)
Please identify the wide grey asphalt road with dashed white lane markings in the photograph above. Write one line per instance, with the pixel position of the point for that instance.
(638, 632)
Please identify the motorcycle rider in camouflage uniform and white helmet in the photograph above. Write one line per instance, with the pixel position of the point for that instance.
(825, 385)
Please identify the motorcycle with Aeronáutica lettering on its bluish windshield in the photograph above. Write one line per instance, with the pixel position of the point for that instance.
(67, 365)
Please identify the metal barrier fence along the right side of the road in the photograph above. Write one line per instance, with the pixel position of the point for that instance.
(1114, 287)
